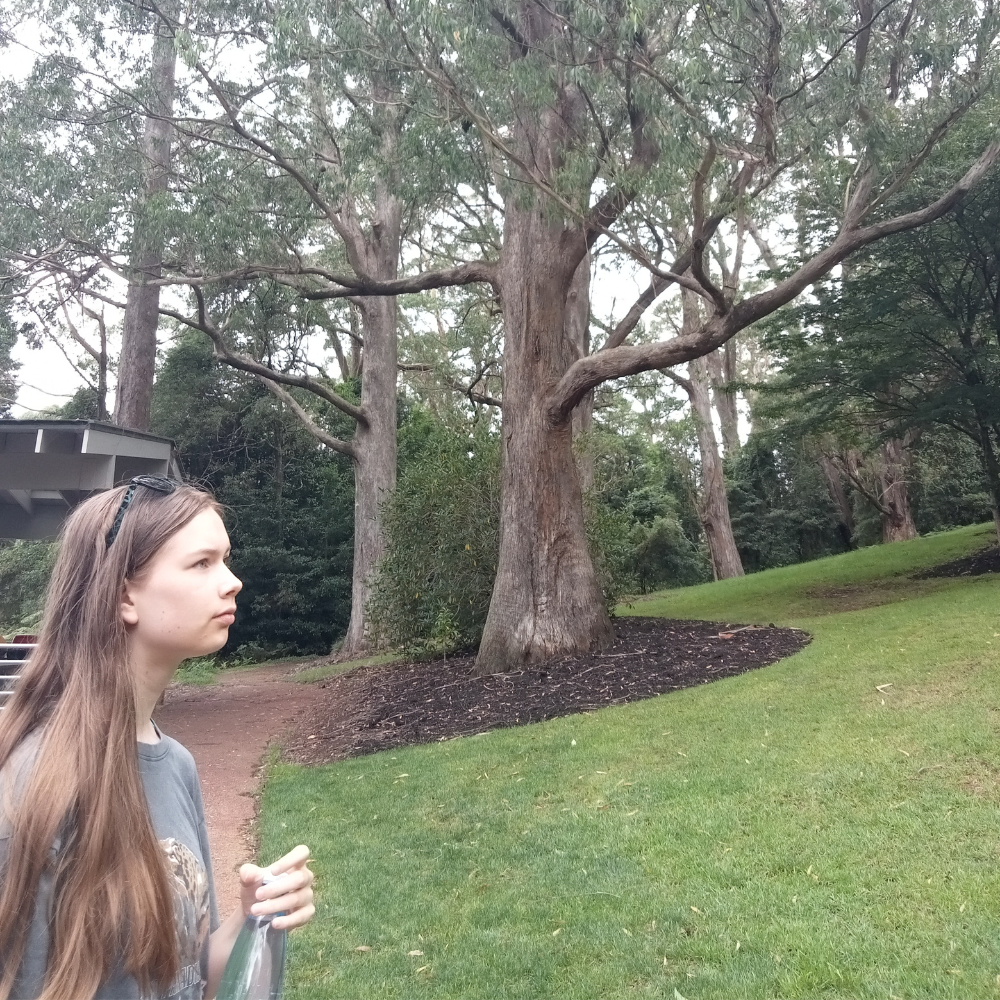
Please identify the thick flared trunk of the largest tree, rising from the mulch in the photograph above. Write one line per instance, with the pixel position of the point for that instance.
(547, 601)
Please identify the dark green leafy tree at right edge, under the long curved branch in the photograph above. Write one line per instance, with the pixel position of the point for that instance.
(907, 340)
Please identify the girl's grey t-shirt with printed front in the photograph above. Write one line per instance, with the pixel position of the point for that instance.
(170, 779)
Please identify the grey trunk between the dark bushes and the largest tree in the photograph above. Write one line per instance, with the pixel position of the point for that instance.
(375, 442)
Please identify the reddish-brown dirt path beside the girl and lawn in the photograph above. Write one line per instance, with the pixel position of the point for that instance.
(227, 727)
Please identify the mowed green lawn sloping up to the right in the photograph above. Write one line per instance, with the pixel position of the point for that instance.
(793, 832)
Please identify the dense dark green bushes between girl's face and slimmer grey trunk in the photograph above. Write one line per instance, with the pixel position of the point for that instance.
(289, 502)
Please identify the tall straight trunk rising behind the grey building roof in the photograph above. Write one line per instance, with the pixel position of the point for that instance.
(137, 360)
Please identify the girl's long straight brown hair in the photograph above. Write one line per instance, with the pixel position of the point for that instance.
(112, 898)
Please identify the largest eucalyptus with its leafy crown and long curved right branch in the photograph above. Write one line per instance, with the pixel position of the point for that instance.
(583, 111)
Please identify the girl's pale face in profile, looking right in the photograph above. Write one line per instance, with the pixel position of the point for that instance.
(182, 604)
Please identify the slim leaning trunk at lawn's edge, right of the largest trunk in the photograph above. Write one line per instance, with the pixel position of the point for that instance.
(713, 505)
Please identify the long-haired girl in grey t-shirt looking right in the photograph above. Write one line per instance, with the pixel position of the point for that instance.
(105, 877)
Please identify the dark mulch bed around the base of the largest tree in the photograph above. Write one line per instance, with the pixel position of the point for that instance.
(400, 704)
